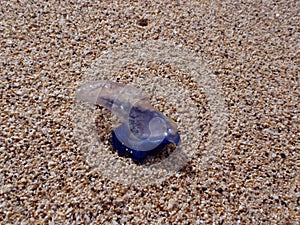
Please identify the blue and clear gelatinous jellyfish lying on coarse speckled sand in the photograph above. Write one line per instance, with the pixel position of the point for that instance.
(144, 130)
